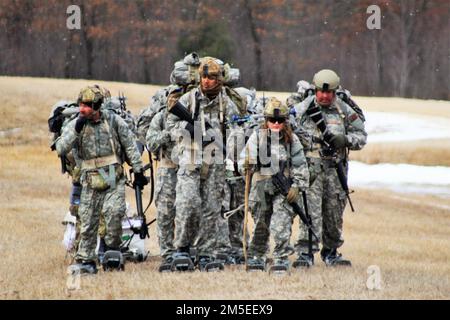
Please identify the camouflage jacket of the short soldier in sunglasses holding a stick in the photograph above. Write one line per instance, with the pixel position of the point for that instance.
(267, 163)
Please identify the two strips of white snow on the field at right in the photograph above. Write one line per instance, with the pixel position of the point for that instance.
(390, 127)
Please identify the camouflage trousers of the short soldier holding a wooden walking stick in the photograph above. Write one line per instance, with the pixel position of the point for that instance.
(272, 215)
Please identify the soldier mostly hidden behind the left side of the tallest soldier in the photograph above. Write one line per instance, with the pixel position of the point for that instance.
(153, 122)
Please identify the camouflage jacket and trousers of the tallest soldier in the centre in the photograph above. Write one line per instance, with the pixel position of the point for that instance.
(200, 179)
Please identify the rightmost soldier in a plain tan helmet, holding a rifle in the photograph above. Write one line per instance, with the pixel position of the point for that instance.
(323, 150)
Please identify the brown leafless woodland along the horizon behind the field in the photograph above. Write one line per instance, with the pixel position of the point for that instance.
(274, 43)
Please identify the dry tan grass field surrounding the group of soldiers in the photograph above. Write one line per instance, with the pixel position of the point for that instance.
(406, 236)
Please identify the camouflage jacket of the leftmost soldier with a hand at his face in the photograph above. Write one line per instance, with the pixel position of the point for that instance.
(94, 140)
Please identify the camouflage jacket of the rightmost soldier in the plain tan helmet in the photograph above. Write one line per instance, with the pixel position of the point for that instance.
(339, 118)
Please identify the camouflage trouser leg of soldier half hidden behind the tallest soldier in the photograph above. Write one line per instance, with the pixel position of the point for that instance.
(166, 180)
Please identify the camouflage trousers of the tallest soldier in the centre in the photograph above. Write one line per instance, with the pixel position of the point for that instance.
(198, 205)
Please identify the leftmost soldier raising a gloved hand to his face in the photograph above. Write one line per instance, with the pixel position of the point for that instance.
(103, 141)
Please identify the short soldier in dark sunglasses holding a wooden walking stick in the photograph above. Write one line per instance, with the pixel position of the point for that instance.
(270, 149)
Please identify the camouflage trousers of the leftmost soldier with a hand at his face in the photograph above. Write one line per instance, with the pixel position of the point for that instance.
(110, 203)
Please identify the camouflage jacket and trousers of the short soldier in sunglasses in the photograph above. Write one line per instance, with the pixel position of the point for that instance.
(270, 210)
